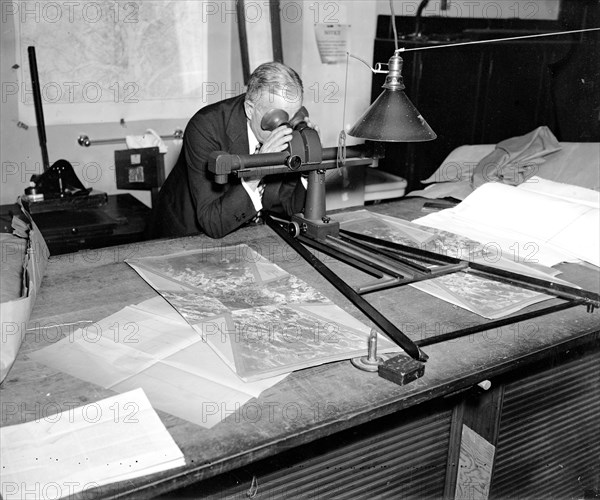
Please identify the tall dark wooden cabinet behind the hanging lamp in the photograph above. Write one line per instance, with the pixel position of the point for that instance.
(485, 93)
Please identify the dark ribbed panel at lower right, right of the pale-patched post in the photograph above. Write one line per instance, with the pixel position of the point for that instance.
(549, 432)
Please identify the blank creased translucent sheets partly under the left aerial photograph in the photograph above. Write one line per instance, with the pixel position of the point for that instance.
(151, 346)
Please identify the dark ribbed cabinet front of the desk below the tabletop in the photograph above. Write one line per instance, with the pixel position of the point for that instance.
(541, 419)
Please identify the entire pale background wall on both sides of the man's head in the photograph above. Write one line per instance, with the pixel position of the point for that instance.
(324, 83)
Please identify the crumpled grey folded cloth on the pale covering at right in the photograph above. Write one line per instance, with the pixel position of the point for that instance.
(515, 159)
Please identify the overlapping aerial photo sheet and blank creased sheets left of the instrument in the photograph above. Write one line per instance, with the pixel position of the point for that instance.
(231, 325)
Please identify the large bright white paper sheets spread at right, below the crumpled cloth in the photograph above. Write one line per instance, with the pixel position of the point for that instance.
(539, 221)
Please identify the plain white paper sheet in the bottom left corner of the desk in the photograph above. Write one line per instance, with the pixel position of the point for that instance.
(115, 439)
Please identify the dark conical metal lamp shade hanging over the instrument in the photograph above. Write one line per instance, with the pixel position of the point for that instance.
(392, 118)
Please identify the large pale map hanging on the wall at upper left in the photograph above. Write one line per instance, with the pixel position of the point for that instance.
(108, 60)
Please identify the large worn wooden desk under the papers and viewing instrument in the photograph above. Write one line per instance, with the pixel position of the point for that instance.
(405, 438)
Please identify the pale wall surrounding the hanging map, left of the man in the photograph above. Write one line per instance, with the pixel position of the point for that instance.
(20, 152)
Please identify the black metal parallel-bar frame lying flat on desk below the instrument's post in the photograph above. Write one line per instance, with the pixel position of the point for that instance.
(396, 265)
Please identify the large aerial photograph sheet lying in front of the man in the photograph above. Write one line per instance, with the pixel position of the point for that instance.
(259, 319)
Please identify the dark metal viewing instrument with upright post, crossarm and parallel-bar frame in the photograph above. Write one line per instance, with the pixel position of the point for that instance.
(391, 263)
